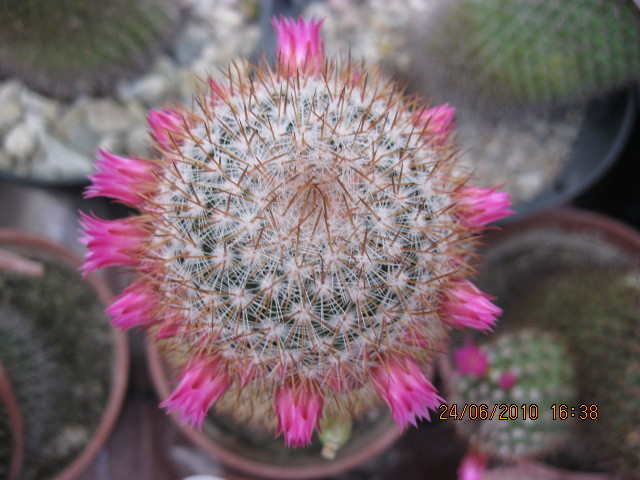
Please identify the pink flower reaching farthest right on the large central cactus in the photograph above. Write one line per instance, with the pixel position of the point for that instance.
(481, 206)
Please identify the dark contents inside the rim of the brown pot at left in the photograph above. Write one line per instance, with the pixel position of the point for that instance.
(54, 327)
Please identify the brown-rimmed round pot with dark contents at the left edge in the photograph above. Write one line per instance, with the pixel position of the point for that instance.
(68, 367)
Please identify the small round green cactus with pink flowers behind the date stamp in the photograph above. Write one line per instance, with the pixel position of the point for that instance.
(523, 372)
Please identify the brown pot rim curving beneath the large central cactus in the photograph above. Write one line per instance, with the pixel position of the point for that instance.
(240, 457)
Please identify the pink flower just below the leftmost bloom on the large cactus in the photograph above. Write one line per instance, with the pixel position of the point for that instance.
(133, 307)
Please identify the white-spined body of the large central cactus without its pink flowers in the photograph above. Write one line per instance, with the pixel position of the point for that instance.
(309, 222)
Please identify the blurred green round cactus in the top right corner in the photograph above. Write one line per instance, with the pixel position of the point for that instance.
(515, 53)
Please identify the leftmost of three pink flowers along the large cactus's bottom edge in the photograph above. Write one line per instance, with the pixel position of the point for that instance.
(202, 383)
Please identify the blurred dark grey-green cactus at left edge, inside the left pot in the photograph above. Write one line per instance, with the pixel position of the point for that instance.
(27, 361)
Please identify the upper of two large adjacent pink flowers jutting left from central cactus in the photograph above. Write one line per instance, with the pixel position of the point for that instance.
(123, 179)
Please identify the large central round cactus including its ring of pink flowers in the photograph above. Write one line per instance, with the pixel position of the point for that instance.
(302, 244)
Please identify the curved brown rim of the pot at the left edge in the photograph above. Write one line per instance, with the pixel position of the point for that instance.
(120, 363)
